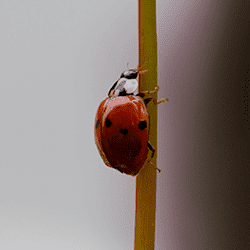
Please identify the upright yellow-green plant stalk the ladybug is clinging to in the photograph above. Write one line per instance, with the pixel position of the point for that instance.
(146, 180)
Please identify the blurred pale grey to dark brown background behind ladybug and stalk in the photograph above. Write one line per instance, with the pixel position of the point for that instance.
(58, 60)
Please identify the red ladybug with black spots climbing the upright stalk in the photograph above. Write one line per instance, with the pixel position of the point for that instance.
(122, 125)
